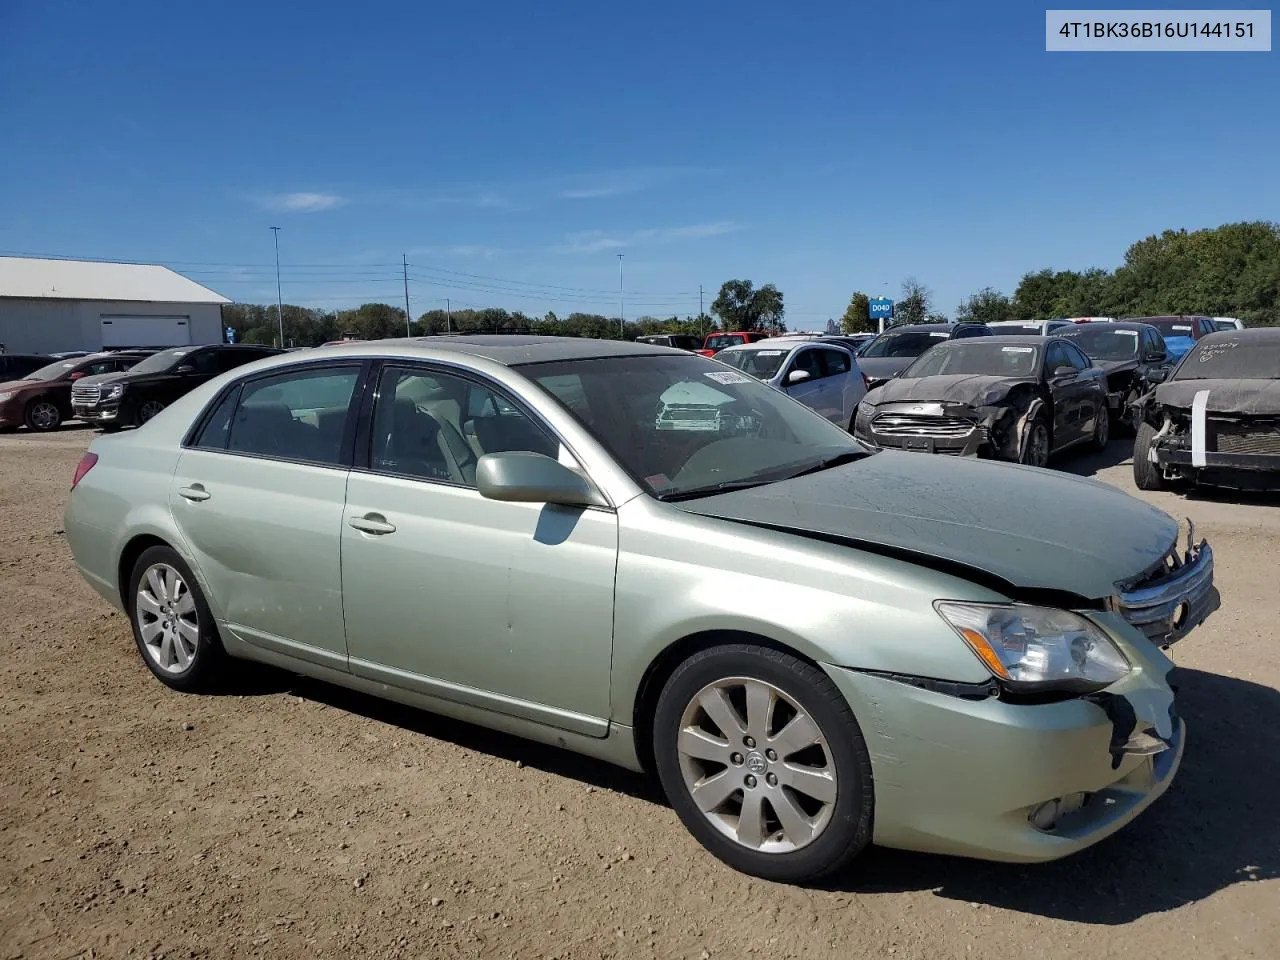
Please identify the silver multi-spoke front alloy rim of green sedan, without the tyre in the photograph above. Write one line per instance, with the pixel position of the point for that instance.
(757, 766)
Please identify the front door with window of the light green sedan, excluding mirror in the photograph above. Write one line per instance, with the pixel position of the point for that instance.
(502, 606)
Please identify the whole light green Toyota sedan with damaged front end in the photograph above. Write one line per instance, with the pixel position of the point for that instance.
(807, 644)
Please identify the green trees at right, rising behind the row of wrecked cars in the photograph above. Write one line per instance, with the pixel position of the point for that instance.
(1229, 271)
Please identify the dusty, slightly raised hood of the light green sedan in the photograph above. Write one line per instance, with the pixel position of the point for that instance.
(1030, 528)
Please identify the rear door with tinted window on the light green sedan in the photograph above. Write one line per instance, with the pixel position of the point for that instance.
(258, 496)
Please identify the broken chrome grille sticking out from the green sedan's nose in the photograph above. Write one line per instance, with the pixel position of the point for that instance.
(1176, 601)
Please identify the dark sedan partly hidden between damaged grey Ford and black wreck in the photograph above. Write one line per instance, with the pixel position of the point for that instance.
(1133, 356)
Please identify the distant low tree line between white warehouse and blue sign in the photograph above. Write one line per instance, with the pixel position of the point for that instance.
(740, 307)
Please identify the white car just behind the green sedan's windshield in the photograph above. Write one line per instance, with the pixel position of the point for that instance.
(821, 376)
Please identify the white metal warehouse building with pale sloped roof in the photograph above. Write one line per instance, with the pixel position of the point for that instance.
(65, 305)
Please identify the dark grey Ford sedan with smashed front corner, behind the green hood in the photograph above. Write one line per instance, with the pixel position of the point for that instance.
(1014, 399)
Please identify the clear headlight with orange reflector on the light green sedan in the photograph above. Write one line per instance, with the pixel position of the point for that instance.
(1037, 647)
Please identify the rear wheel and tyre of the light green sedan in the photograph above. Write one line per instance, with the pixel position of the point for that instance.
(172, 623)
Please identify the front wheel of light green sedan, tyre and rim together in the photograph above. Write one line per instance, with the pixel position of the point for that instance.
(765, 764)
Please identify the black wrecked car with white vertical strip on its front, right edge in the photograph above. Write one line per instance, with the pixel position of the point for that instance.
(1217, 420)
